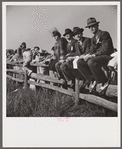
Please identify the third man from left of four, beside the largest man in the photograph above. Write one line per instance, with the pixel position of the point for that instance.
(82, 47)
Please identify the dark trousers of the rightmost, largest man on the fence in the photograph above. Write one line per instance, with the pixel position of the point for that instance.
(92, 69)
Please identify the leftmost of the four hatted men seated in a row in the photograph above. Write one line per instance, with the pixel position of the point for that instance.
(60, 49)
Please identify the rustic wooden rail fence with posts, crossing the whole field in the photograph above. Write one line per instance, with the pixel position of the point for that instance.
(111, 91)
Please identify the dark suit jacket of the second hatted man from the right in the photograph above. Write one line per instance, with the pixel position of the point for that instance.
(84, 49)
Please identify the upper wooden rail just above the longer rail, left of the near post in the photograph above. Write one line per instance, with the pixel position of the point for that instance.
(45, 78)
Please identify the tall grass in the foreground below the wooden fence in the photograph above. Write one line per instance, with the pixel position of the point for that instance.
(48, 103)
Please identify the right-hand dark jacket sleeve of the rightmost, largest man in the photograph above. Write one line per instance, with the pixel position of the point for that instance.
(106, 47)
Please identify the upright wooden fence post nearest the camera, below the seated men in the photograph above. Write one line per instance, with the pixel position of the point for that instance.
(76, 91)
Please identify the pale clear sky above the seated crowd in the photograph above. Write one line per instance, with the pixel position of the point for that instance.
(33, 24)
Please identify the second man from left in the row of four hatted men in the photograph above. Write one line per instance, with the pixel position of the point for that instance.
(70, 52)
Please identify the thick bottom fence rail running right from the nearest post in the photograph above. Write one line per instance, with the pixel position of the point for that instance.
(99, 101)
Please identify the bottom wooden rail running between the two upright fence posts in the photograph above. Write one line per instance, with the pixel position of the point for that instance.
(49, 86)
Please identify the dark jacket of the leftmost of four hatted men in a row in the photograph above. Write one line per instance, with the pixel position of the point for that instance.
(60, 48)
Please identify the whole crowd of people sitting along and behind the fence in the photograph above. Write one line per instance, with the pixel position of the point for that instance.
(75, 56)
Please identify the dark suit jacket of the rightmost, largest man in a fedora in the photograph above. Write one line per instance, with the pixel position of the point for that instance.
(103, 45)
